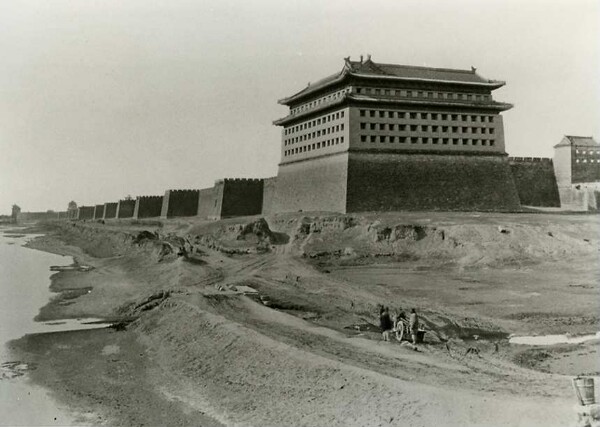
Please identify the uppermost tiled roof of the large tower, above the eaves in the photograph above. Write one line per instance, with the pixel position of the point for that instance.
(370, 69)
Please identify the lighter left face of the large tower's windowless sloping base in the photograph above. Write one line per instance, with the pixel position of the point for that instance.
(315, 185)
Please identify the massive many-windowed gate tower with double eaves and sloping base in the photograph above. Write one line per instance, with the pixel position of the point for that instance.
(394, 137)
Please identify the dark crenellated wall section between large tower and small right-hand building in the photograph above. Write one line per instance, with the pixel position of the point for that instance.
(535, 181)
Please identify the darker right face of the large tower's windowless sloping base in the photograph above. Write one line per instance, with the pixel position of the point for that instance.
(394, 182)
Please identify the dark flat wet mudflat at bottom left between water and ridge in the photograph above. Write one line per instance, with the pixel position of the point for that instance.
(103, 376)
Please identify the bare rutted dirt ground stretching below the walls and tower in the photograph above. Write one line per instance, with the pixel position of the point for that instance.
(274, 322)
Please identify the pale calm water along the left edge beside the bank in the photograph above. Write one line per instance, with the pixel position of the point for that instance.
(24, 288)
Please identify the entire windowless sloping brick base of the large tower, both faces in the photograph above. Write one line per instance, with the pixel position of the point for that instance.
(361, 182)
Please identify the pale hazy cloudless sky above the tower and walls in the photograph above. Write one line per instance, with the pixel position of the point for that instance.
(100, 99)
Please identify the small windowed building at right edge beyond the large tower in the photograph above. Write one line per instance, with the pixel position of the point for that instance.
(577, 170)
